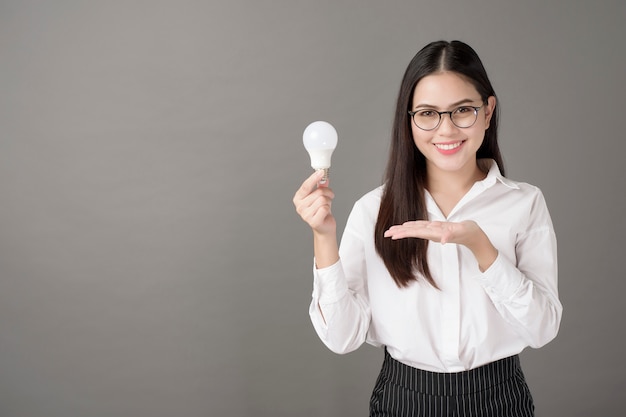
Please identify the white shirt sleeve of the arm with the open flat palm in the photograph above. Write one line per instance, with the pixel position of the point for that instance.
(524, 290)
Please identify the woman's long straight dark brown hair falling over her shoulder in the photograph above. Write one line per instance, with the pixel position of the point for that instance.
(405, 177)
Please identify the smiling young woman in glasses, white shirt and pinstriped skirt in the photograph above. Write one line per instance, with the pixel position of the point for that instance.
(450, 266)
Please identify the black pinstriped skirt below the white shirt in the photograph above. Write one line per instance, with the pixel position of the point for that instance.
(497, 389)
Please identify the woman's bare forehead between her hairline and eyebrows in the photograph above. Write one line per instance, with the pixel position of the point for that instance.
(443, 89)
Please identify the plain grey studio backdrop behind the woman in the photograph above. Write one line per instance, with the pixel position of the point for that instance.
(151, 262)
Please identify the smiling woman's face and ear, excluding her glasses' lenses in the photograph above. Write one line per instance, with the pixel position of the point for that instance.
(448, 147)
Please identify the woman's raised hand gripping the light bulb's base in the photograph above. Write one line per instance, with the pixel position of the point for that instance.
(313, 201)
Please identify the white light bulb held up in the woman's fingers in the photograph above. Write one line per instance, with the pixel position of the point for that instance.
(320, 140)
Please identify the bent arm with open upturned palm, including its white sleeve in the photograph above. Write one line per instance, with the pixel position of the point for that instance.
(522, 284)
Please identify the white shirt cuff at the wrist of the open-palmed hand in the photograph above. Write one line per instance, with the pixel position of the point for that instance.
(502, 279)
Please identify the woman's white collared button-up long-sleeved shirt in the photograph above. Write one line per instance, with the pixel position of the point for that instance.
(475, 317)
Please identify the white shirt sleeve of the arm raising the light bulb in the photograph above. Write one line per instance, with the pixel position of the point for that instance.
(339, 307)
